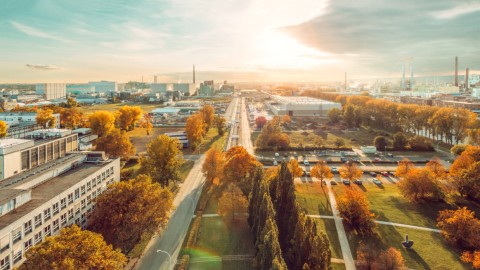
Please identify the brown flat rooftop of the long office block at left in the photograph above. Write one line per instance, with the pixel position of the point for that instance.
(50, 189)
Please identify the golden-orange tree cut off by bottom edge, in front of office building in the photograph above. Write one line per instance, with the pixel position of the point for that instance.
(74, 249)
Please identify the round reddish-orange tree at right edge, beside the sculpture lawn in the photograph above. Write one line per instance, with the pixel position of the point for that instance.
(460, 227)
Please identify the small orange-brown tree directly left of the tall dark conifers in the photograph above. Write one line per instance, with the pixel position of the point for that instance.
(232, 203)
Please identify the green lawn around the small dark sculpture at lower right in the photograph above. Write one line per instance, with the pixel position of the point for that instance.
(430, 250)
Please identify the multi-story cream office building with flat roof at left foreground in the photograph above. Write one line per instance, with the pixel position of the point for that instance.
(56, 191)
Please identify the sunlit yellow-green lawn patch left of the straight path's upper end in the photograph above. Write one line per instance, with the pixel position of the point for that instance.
(313, 198)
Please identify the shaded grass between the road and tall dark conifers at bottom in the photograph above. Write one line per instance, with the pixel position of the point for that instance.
(217, 238)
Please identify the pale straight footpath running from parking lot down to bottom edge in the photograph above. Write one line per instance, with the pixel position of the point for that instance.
(342, 236)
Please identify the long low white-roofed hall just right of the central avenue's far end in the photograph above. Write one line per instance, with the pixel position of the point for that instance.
(300, 106)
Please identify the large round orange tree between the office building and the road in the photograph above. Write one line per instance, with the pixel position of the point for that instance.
(129, 209)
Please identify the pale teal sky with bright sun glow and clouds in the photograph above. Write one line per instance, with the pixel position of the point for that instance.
(235, 40)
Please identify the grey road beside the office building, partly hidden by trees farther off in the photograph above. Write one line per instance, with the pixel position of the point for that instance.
(185, 202)
